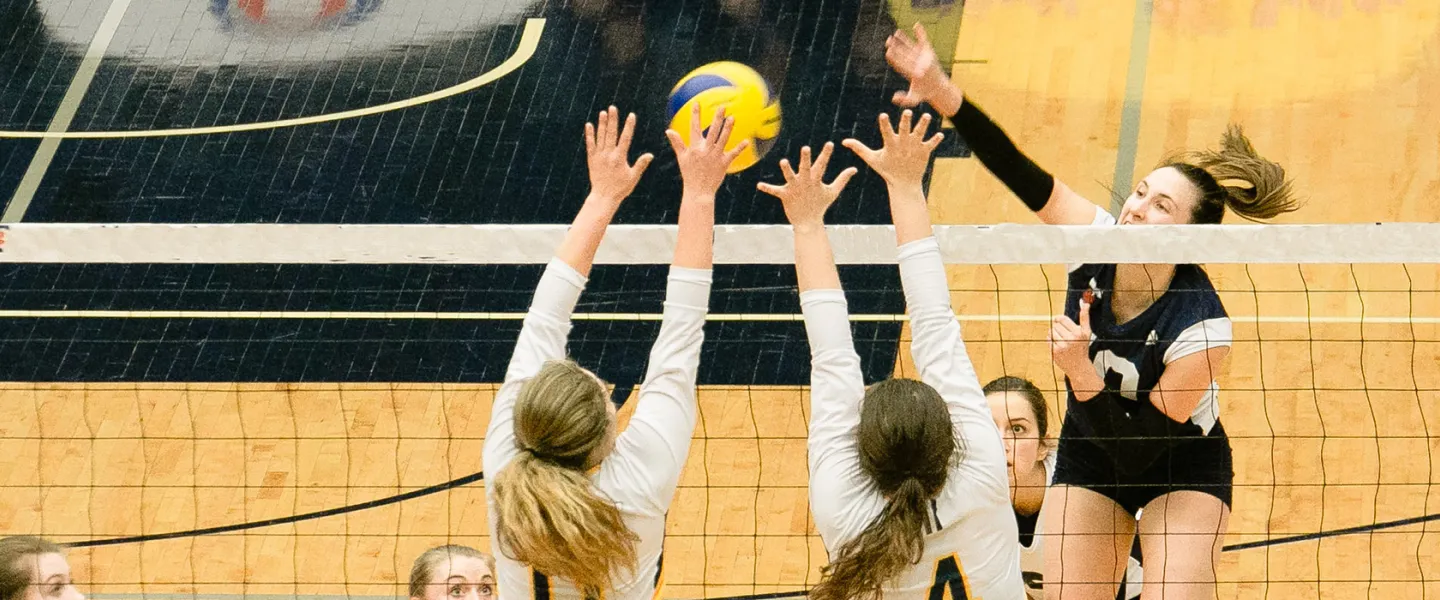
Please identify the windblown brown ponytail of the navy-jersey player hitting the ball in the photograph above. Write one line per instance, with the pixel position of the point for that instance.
(1236, 178)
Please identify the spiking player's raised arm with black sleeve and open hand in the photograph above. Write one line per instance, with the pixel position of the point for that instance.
(1052, 201)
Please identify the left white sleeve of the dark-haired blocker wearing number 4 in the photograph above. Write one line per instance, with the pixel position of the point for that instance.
(842, 497)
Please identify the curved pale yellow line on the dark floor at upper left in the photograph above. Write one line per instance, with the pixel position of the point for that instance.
(529, 41)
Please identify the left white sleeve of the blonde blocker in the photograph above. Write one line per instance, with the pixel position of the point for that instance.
(542, 340)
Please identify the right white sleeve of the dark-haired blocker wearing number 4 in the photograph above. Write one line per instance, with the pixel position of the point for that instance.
(940, 355)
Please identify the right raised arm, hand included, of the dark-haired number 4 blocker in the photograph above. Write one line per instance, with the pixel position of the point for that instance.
(935, 335)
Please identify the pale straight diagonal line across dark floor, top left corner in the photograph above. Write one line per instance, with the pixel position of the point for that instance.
(70, 104)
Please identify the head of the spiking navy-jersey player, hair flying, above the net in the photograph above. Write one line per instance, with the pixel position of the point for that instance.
(1197, 188)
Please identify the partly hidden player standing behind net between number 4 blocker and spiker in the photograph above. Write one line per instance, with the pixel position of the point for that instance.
(1023, 417)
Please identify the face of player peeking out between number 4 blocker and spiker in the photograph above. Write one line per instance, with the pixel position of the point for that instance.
(1023, 417)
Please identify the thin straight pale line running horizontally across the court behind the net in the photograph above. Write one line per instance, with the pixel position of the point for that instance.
(398, 316)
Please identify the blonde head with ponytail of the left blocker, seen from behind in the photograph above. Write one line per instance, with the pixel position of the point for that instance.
(549, 513)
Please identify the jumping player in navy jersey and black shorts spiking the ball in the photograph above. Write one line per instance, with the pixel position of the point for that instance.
(1141, 347)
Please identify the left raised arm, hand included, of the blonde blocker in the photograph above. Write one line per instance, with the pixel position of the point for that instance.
(548, 323)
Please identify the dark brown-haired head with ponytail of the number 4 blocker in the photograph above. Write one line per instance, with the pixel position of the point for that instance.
(906, 447)
